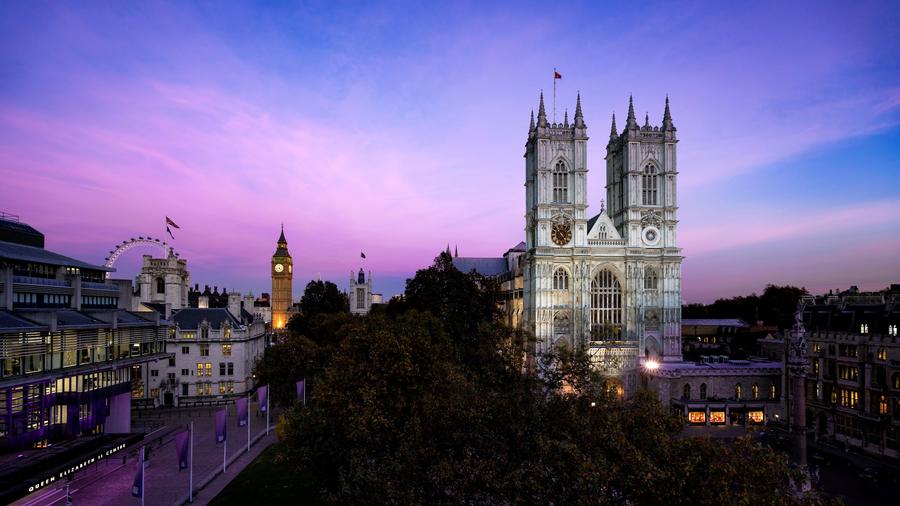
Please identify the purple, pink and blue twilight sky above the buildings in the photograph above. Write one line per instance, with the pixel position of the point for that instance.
(399, 128)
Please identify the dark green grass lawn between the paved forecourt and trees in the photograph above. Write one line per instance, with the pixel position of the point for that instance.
(265, 482)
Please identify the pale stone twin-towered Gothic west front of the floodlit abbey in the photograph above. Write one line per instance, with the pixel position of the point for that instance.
(611, 282)
